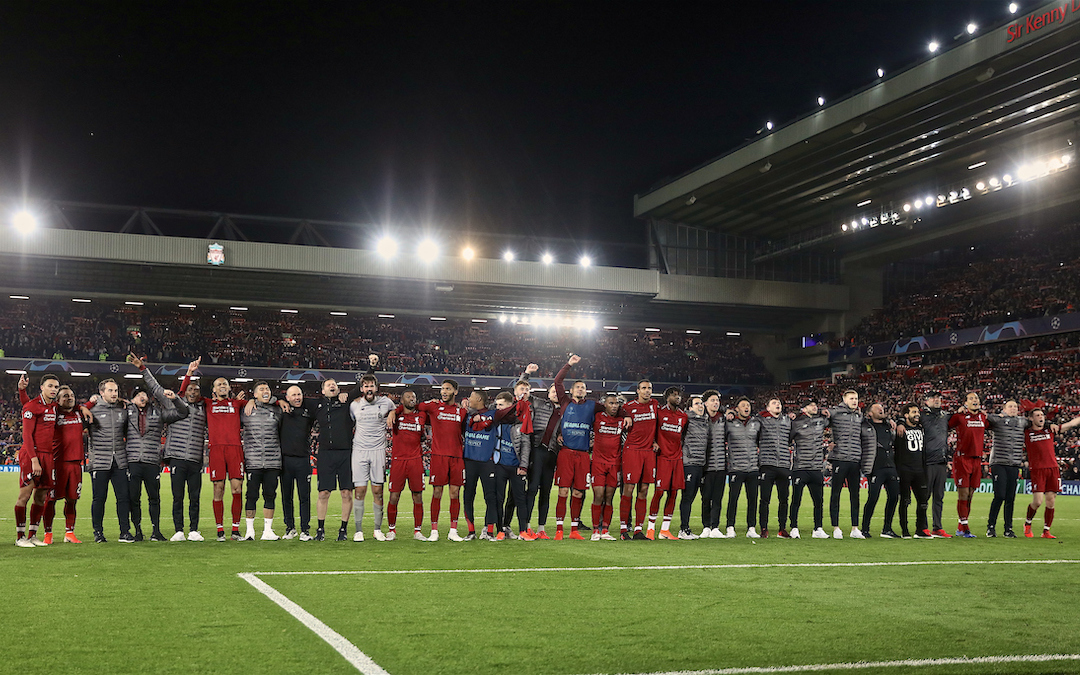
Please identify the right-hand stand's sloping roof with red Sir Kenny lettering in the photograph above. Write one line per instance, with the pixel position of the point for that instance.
(1004, 98)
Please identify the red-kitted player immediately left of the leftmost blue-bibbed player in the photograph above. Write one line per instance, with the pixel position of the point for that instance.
(448, 421)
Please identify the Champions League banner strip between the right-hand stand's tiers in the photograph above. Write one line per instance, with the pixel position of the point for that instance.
(963, 337)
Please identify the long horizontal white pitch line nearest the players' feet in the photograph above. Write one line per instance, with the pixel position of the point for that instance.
(655, 568)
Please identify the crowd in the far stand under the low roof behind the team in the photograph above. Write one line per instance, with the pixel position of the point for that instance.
(50, 329)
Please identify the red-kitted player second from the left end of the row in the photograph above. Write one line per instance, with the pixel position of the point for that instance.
(67, 457)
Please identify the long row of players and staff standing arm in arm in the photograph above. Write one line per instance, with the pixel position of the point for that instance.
(518, 451)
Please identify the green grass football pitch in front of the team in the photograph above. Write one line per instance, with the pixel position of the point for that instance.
(569, 607)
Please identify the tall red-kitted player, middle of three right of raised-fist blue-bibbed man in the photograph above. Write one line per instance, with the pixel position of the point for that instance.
(639, 460)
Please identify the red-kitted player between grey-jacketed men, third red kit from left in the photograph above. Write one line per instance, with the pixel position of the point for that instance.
(226, 450)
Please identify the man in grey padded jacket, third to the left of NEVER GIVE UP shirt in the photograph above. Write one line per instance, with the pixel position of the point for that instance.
(808, 436)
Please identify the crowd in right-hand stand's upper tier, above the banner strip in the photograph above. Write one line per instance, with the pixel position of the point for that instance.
(1031, 274)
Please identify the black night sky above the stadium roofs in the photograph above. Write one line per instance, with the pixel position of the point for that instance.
(532, 117)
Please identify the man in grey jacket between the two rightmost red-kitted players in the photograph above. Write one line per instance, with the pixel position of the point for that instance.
(1007, 458)
